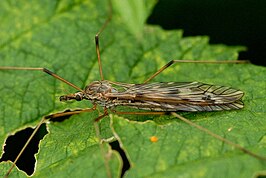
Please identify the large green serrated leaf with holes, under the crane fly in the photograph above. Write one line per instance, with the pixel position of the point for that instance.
(60, 37)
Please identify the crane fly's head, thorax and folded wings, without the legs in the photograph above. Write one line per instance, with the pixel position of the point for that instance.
(163, 96)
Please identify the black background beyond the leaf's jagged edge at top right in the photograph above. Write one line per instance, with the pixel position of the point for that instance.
(231, 22)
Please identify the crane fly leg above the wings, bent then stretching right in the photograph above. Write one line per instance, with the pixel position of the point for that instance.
(191, 61)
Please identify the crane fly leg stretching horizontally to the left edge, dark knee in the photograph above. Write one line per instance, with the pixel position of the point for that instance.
(45, 71)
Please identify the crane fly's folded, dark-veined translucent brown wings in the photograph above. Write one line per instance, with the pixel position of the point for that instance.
(174, 96)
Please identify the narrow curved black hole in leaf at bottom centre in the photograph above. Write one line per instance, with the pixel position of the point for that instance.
(126, 165)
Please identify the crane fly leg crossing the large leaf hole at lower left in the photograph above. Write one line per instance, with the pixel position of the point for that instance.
(52, 116)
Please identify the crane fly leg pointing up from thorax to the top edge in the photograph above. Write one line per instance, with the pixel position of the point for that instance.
(97, 39)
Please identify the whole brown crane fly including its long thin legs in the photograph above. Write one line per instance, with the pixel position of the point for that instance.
(158, 98)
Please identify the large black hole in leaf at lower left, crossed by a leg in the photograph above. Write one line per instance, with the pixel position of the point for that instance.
(15, 143)
